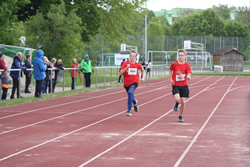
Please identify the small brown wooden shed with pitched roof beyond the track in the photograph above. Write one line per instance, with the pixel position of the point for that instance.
(230, 59)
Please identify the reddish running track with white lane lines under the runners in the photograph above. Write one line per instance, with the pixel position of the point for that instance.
(91, 129)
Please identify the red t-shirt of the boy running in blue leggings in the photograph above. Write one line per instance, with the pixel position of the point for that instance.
(131, 75)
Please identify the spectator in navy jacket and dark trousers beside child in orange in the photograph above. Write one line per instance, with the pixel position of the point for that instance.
(17, 64)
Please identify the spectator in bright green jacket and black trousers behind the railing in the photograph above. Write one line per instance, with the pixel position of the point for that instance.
(87, 70)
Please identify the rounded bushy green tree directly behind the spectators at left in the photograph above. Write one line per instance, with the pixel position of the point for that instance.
(58, 34)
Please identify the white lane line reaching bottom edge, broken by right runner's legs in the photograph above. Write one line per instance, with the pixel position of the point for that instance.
(119, 143)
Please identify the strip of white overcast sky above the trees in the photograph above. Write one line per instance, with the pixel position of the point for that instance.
(157, 5)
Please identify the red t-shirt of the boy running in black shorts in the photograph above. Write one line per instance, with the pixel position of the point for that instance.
(178, 69)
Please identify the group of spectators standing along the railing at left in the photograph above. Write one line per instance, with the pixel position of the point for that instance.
(42, 73)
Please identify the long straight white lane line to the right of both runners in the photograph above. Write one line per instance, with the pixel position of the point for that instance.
(203, 126)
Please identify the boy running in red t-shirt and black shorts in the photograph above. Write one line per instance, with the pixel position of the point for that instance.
(179, 73)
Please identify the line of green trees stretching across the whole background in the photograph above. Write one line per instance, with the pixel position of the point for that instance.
(65, 28)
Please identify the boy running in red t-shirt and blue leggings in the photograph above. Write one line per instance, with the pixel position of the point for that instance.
(129, 70)
